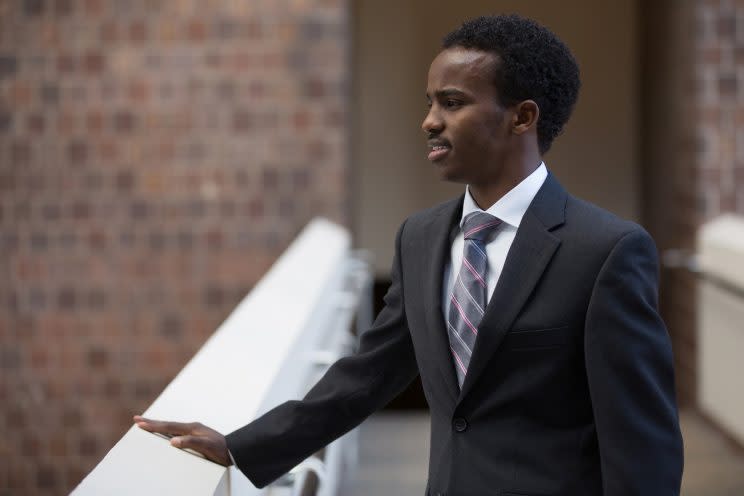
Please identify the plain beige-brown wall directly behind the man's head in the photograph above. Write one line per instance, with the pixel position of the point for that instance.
(395, 41)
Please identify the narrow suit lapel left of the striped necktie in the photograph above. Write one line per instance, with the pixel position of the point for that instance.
(438, 242)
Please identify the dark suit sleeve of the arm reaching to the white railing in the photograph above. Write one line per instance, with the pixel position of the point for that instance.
(351, 390)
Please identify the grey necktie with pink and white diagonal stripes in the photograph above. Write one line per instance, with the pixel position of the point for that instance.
(468, 296)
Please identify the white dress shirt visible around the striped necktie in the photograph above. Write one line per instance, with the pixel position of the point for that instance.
(510, 209)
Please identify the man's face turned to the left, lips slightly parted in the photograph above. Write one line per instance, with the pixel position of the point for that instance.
(466, 126)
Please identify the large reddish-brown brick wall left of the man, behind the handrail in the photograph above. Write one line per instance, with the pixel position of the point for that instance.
(155, 158)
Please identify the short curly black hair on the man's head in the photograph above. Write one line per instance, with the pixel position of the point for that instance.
(535, 65)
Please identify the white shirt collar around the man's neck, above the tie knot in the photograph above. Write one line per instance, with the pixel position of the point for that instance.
(512, 206)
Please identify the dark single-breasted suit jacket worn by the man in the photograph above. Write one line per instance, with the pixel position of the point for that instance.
(570, 389)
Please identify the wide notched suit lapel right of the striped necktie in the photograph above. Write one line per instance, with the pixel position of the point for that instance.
(528, 257)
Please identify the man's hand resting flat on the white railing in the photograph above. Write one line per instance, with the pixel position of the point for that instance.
(194, 435)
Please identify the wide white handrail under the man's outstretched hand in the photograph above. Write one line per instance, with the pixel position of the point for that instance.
(266, 351)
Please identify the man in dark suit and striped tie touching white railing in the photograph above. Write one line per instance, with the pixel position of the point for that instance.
(530, 315)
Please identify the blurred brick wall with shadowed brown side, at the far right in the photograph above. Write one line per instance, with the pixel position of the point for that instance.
(692, 111)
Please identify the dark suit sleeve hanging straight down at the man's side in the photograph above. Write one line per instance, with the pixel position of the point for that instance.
(630, 373)
